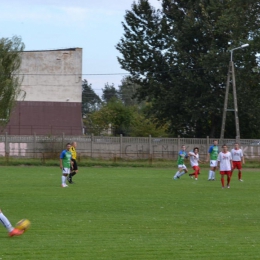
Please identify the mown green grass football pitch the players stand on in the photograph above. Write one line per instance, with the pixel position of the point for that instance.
(129, 213)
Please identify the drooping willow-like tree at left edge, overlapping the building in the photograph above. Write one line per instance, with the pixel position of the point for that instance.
(10, 82)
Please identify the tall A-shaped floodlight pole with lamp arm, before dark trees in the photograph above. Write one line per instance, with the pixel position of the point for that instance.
(231, 72)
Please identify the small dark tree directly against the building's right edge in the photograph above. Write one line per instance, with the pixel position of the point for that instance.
(90, 100)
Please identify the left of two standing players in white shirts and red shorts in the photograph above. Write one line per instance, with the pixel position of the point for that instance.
(225, 165)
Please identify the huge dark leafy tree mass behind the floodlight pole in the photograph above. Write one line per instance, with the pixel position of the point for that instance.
(179, 57)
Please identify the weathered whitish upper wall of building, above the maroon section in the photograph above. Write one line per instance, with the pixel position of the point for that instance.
(53, 76)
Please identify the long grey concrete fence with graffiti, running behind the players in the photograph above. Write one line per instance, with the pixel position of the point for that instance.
(105, 147)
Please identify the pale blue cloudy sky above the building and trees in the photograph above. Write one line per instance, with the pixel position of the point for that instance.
(94, 25)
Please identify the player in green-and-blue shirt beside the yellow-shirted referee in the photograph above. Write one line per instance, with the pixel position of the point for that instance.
(65, 164)
